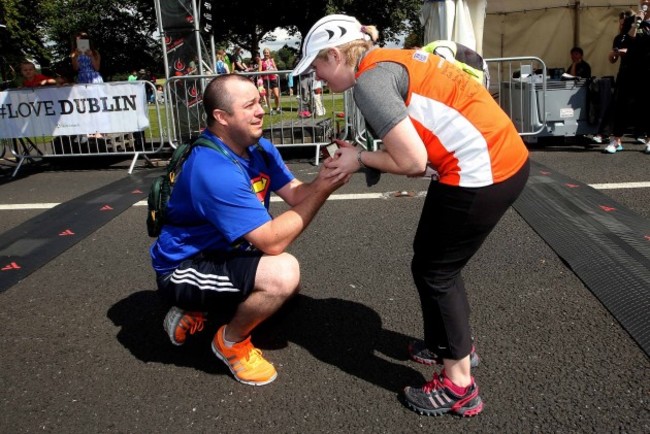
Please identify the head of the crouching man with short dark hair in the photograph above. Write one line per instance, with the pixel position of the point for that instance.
(244, 124)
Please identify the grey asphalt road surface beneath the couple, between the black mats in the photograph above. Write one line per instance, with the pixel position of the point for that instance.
(82, 348)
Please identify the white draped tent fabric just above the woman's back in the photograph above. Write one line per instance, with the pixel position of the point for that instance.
(457, 20)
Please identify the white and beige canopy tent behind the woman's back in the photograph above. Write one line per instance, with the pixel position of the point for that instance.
(547, 29)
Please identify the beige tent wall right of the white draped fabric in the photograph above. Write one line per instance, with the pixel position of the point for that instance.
(548, 29)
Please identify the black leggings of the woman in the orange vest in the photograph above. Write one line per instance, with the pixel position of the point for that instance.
(454, 223)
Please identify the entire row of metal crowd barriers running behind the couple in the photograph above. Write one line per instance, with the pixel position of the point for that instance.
(519, 85)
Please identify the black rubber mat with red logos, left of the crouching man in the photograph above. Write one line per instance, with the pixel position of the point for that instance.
(37, 241)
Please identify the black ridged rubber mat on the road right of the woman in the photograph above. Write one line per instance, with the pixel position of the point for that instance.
(605, 244)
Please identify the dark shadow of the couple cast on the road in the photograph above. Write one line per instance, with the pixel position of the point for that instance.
(338, 332)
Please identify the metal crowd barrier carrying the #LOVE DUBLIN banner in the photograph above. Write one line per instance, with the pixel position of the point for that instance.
(31, 146)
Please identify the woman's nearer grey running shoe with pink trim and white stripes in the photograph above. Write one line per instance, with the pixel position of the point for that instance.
(438, 397)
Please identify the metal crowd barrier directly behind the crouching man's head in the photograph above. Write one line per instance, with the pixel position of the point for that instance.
(291, 127)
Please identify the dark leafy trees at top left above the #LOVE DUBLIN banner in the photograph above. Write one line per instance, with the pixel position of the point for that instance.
(43, 30)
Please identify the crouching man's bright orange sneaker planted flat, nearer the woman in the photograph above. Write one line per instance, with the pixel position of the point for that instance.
(244, 360)
